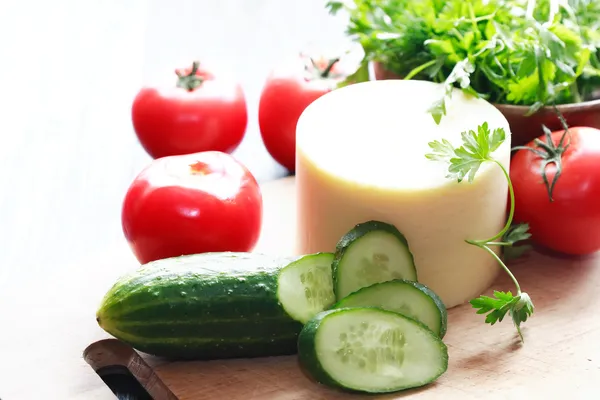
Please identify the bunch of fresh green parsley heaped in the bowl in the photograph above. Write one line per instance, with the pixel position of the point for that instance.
(521, 52)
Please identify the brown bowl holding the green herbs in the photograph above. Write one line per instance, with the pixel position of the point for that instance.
(526, 128)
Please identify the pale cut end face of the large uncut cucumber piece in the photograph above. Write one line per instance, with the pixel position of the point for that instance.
(305, 286)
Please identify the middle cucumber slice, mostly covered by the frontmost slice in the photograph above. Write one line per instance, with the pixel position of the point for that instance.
(410, 298)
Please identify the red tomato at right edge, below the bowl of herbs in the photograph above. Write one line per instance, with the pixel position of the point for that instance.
(570, 223)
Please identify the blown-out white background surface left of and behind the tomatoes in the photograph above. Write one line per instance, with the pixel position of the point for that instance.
(68, 74)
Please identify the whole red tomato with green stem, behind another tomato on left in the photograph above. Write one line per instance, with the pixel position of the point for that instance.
(202, 112)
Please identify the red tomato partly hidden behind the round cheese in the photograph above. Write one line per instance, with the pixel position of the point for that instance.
(285, 95)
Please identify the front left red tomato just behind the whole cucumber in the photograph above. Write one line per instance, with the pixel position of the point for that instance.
(192, 203)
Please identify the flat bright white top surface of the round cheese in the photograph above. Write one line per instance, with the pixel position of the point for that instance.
(376, 133)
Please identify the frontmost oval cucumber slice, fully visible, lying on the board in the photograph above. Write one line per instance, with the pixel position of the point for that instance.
(370, 350)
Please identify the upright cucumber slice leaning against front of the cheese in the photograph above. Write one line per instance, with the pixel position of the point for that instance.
(370, 253)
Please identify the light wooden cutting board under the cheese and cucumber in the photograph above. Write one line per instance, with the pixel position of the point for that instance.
(559, 359)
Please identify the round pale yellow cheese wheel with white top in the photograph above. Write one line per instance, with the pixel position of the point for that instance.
(361, 156)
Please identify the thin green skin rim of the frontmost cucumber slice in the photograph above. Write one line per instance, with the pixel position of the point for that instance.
(309, 359)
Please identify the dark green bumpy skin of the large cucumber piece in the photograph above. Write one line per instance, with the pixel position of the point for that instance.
(228, 300)
